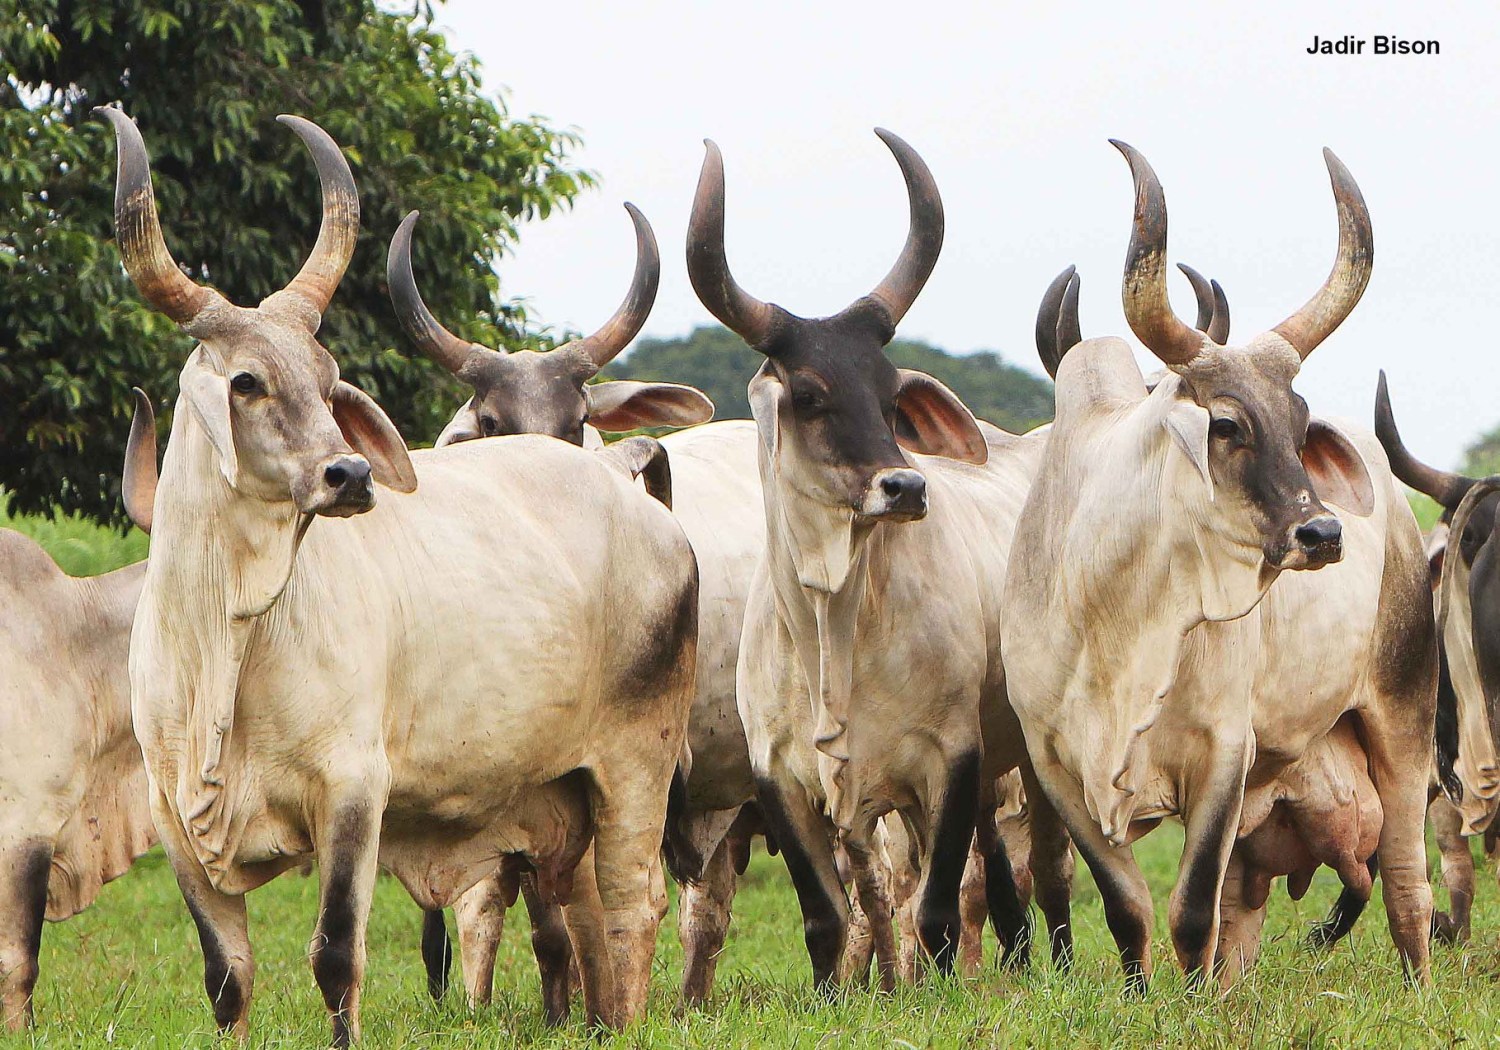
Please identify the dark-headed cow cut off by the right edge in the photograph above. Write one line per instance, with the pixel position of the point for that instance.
(1465, 785)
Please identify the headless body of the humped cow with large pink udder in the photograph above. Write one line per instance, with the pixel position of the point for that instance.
(1162, 670)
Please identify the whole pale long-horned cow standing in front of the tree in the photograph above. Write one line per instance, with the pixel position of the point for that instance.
(494, 665)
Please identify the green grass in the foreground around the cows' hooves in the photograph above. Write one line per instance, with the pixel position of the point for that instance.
(128, 973)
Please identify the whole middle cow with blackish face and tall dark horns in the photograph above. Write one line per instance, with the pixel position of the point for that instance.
(868, 682)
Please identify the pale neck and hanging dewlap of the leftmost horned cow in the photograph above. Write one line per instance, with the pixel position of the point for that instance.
(220, 563)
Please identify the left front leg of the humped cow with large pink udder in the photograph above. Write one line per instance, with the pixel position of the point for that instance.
(1129, 910)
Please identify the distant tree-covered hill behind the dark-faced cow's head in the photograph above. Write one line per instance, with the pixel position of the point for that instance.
(719, 364)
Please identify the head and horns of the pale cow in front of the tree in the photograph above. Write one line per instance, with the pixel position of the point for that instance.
(260, 388)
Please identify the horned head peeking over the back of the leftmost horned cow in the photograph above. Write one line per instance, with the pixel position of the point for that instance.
(548, 392)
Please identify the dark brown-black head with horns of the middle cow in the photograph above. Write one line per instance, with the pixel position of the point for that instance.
(832, 409)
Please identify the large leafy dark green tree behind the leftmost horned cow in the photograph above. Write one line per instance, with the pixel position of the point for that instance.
(239, 202)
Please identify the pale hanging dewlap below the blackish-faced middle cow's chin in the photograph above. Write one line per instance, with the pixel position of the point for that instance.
(818, 566)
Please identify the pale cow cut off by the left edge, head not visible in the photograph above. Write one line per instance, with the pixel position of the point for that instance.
(73, 787)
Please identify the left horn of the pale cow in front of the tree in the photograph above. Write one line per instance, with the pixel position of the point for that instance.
(139, 230)
